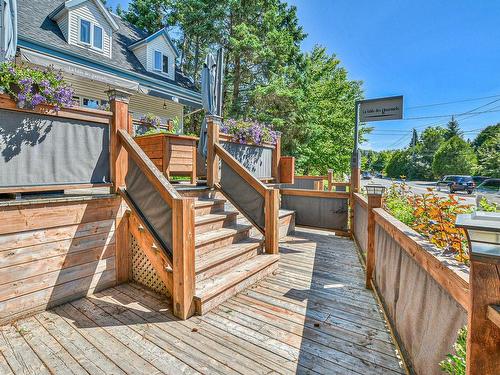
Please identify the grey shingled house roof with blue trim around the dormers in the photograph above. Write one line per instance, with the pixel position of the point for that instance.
(35, 27)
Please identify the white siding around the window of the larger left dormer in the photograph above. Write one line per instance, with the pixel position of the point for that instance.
(89, 11)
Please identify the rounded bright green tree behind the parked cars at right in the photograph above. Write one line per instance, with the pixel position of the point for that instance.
(455, 156)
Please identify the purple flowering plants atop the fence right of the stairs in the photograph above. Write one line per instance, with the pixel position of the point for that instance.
(249, 131)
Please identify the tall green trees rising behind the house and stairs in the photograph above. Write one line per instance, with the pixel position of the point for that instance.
(307, 97)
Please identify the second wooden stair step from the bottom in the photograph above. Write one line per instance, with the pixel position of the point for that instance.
(225, 258)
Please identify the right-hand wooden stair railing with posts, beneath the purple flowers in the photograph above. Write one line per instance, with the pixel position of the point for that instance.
(269, 196)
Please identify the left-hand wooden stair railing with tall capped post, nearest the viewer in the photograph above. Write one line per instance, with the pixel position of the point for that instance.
(173, 260)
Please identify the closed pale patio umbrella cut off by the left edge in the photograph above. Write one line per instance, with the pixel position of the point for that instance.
(8, 33)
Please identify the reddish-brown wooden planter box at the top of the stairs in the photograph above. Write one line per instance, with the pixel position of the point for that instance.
(174, 155)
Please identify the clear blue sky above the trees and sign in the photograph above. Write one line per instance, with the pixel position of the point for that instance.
(431, 52)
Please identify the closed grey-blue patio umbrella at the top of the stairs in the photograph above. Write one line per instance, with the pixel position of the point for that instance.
(211, 94)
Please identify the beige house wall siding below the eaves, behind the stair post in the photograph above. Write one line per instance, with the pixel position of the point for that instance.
(140, 104)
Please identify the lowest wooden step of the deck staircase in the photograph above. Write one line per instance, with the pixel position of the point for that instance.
(213, 291)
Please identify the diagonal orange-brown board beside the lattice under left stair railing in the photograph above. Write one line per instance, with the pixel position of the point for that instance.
(147, 244)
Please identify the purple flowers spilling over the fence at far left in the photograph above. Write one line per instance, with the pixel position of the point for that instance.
(30, 87)
